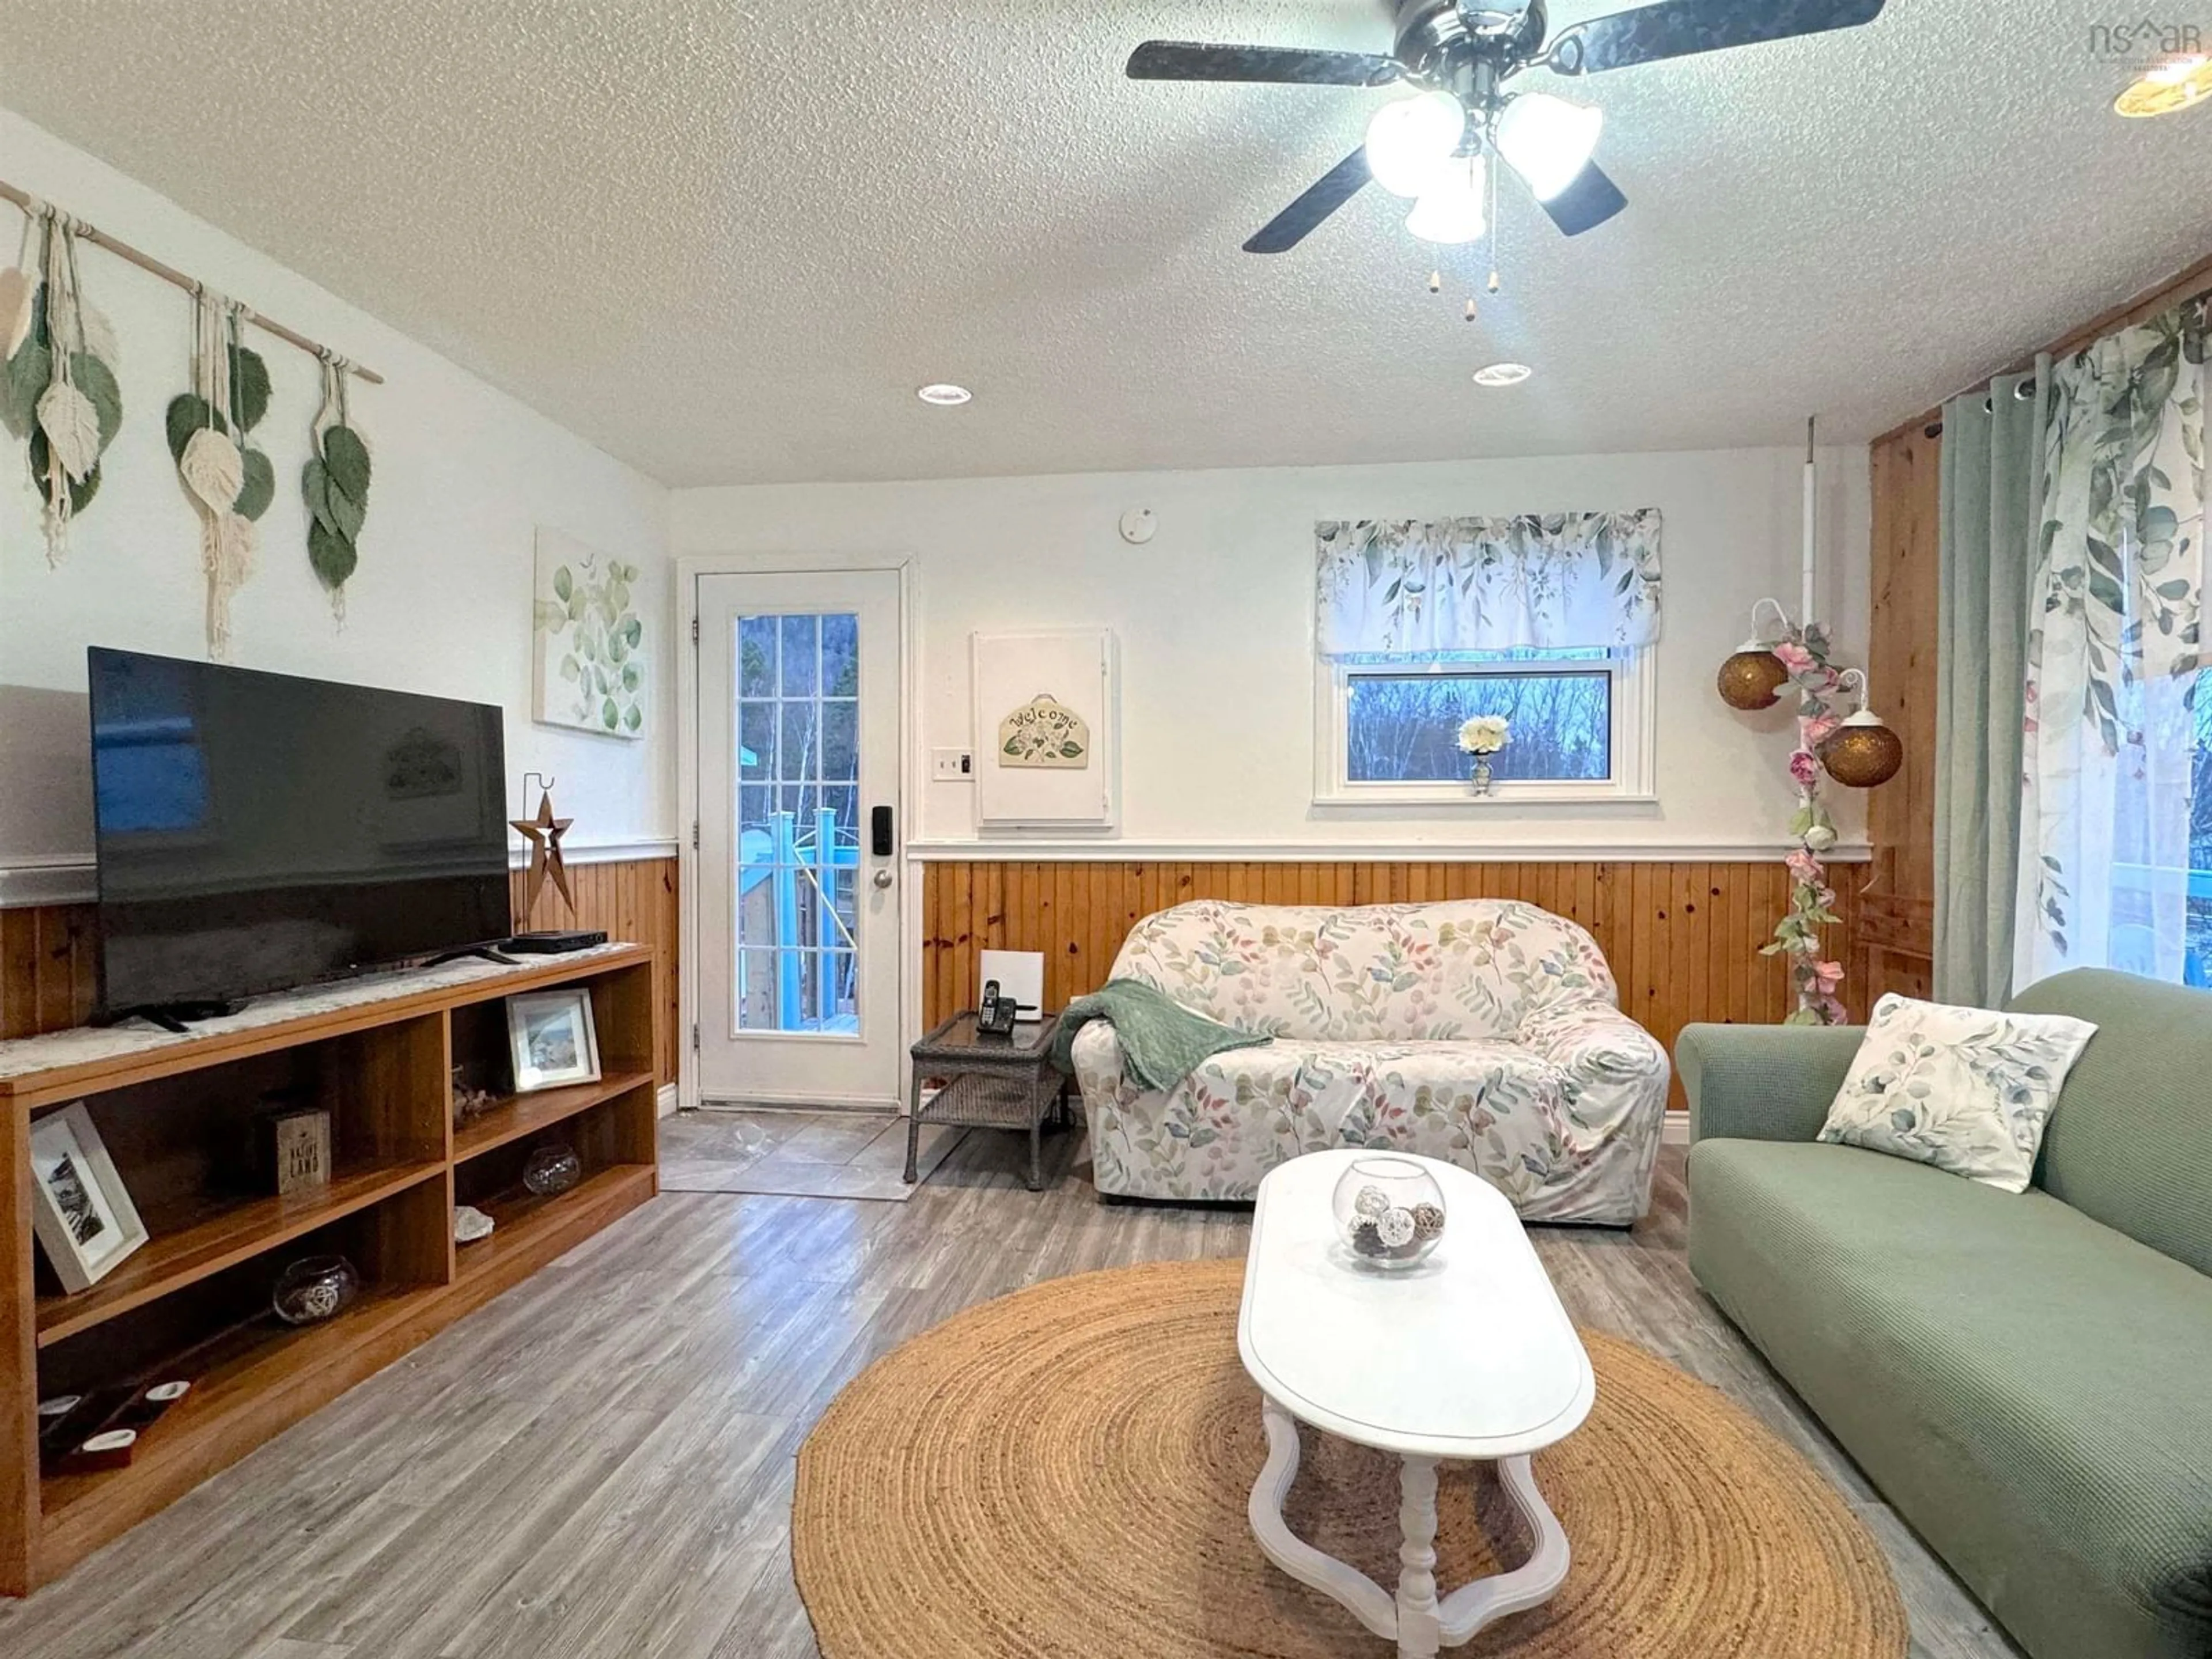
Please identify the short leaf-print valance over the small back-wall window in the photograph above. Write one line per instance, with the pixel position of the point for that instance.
(1536, 581)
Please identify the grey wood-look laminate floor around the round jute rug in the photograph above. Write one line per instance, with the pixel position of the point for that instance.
(601, 1461)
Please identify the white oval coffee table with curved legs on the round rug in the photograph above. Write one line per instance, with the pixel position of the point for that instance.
(1461, 1357)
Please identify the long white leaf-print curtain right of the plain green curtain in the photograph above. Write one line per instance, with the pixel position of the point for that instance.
(2114, 656)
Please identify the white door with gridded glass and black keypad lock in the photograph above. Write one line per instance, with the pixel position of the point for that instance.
(800, 831)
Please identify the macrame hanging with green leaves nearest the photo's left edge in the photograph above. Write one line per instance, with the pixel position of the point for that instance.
(61, 390)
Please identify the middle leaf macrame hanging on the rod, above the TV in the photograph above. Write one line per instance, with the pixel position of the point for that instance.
(225, 477)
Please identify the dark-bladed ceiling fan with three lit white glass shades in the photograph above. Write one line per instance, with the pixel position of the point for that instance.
(1461, 61)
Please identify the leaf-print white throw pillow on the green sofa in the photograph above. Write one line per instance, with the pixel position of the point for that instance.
(1963, 1089)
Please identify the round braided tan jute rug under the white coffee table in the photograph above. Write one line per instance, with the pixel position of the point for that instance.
(1063, 1474)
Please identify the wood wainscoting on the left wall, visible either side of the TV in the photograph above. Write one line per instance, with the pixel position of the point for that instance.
(50, 968)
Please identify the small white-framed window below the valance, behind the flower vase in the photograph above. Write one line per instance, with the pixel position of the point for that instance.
(1578, 722)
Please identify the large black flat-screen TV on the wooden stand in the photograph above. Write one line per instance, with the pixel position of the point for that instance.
(264, 831)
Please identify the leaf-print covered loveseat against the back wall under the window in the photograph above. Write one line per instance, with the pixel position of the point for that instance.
(1481, 1032)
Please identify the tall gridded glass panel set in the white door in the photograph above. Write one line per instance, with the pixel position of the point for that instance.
(800, 846)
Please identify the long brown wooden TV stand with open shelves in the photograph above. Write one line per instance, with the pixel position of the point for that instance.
(178, 1118)
